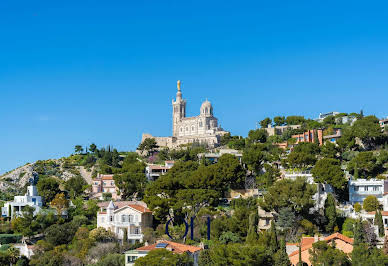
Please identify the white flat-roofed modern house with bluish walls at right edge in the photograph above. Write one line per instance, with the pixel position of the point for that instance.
(359, 189)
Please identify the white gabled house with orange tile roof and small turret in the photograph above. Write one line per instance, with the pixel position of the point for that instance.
(130, 216)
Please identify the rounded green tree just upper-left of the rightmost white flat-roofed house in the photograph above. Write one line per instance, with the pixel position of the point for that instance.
(328, 171)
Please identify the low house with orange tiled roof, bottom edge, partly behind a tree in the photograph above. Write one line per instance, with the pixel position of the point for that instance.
(132, 255)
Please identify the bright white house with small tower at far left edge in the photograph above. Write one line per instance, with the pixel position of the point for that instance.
(16, 207)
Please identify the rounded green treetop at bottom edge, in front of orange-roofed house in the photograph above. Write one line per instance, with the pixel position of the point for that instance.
(155, 257)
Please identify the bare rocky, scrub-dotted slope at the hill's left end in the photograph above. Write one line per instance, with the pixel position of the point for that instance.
(19, 177)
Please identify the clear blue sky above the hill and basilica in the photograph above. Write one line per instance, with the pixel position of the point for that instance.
(77, 72)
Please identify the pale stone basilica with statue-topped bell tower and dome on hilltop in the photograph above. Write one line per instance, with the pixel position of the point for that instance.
(202, 129)
